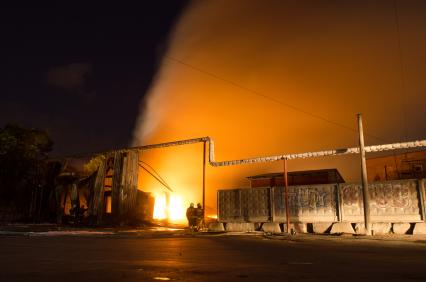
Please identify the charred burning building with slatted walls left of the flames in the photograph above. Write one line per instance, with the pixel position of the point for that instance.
(100, 191)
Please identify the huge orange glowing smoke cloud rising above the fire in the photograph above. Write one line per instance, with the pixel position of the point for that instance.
(330, 66)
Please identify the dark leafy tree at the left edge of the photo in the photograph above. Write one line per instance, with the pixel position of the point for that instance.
(23, 155)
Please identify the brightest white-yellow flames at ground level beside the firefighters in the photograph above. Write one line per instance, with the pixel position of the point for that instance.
(174, 211)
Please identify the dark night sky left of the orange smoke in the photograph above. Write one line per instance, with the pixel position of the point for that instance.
(80, 72)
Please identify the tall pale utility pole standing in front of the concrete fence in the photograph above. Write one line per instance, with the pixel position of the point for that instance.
(365, 193)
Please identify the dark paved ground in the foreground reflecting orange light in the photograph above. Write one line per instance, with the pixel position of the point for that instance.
(180, 257)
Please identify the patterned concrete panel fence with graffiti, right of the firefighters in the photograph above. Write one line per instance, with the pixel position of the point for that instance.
(390, 201)
